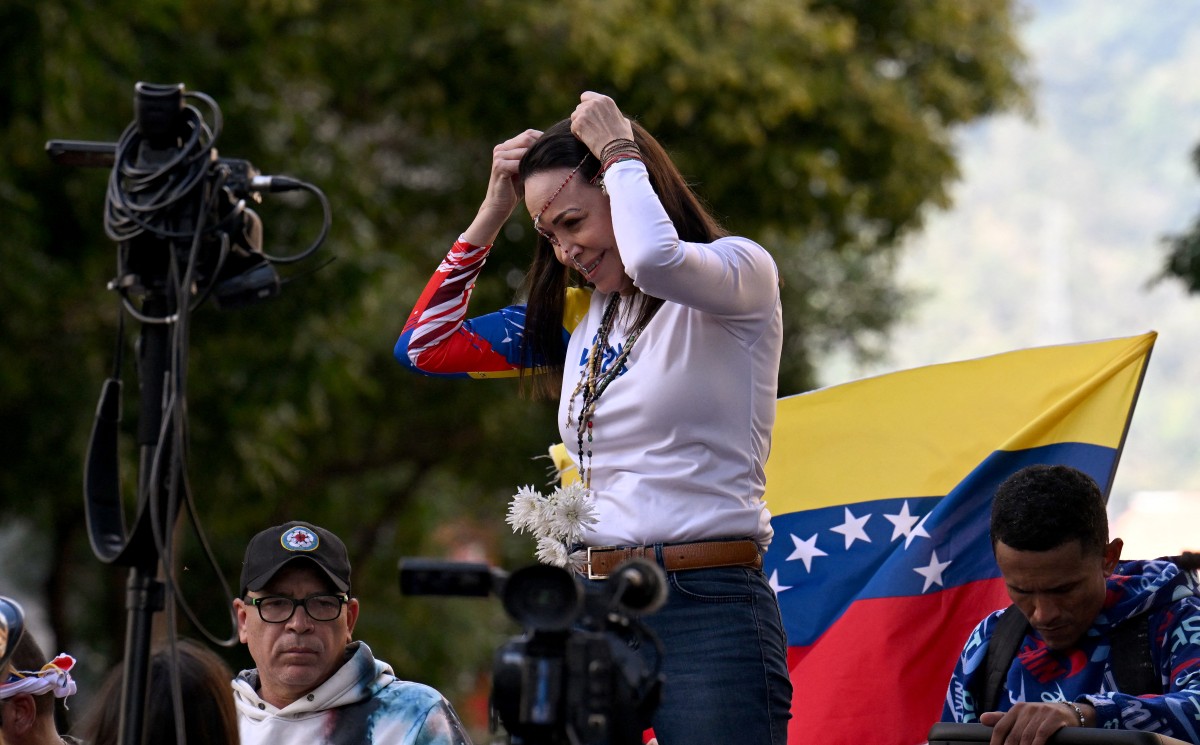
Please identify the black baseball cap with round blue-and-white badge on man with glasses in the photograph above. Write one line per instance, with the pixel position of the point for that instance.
(271, 550)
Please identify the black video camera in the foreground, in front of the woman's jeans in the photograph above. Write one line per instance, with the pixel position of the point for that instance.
(575, 677)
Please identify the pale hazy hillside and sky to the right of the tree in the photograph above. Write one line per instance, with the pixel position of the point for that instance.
(1057, 236)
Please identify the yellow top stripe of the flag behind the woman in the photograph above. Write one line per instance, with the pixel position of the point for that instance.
(919, 432)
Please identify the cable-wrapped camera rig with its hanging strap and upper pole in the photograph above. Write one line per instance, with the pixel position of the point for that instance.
(185, 233)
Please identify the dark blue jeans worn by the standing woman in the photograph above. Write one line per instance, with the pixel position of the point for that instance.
(727, 660)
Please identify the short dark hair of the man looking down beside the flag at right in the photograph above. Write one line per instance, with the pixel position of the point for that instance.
(1043, 507)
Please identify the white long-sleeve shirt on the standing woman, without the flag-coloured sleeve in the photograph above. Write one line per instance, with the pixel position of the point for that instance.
(682, 437)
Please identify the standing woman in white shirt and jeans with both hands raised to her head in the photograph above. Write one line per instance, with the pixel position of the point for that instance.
(663, 335)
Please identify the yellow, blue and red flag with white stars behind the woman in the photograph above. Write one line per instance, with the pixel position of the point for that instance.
(881, 491)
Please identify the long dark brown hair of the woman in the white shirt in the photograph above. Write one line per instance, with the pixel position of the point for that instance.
(547, 283)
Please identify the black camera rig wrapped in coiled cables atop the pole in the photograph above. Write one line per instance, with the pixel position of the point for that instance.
(179, 213)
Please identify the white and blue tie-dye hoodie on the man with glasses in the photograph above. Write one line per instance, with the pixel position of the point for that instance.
(362, 704)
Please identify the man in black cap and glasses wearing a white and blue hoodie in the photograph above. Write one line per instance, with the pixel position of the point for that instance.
(314, 684)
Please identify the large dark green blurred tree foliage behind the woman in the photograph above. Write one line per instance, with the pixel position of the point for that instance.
(821, 129)
